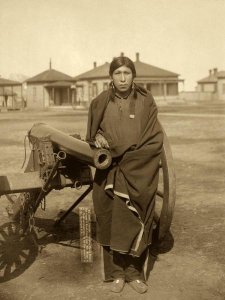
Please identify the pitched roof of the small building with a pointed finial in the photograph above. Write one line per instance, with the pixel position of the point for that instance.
(50, 75)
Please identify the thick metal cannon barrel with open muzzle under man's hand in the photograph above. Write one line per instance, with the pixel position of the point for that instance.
(81, 150)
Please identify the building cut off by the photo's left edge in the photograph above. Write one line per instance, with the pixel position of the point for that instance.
(10, 94)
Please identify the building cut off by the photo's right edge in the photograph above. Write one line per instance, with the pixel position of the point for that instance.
(213, 84)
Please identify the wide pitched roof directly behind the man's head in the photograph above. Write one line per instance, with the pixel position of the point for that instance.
(142, 69)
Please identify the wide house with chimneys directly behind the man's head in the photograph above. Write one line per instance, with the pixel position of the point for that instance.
(163, 84)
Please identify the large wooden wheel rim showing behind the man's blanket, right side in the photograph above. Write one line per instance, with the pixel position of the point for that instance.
(166, 194)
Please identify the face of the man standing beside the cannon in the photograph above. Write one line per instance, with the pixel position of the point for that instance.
(122, 79)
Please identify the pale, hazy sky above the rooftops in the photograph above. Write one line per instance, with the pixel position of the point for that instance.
(183, 36)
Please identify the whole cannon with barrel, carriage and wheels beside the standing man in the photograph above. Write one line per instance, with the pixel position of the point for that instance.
(57, 161)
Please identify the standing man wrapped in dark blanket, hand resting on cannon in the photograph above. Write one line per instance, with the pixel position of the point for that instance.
(124, 120)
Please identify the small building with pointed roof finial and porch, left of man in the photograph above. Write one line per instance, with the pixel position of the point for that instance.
(49, 88)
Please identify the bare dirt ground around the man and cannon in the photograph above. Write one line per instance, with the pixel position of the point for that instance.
(188, 265)
